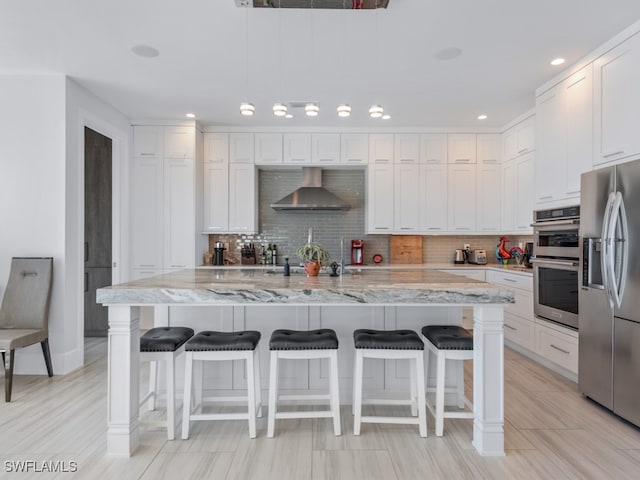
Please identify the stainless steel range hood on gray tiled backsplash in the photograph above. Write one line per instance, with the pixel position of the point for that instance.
(311, 195)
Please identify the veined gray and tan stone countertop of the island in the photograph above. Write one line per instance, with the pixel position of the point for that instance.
(378, 286)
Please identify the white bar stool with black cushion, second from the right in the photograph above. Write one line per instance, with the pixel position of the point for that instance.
(395, 345)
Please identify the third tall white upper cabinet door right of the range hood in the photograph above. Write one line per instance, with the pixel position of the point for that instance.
(433, 197)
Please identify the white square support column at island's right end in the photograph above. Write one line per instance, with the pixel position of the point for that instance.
(488, 380)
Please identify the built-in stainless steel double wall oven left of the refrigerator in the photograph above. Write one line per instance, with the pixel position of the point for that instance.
(556, 265)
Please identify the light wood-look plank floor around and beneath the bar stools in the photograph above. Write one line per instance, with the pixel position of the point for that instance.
(551, 432)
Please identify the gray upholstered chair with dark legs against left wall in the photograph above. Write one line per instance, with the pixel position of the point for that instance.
(24, 313)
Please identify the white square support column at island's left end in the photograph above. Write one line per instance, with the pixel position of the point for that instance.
(122, 380)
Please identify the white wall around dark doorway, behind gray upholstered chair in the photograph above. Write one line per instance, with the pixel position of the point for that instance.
(42, 123)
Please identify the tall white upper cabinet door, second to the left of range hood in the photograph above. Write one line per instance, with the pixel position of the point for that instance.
(216, 197)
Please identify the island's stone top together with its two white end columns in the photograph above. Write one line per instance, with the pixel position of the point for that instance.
(256, 287)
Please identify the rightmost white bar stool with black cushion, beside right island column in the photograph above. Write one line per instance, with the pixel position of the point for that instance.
(448, 342)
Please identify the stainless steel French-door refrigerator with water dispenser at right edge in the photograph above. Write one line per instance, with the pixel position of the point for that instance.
(609, 294)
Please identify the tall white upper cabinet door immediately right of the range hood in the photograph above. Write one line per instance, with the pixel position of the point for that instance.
(380, 198)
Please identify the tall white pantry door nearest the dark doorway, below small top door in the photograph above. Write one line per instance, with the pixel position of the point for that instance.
(146, 213)
